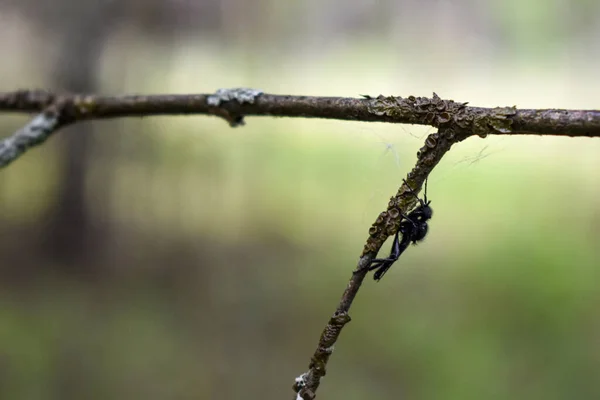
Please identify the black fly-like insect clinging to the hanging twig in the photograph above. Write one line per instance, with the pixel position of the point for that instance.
(413, 229)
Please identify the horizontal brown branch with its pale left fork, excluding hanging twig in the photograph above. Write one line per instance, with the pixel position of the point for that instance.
(234, 104)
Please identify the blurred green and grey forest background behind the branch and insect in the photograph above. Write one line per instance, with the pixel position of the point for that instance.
(177, 258)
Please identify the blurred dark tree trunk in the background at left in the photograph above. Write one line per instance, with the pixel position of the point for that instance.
(68, 234)
